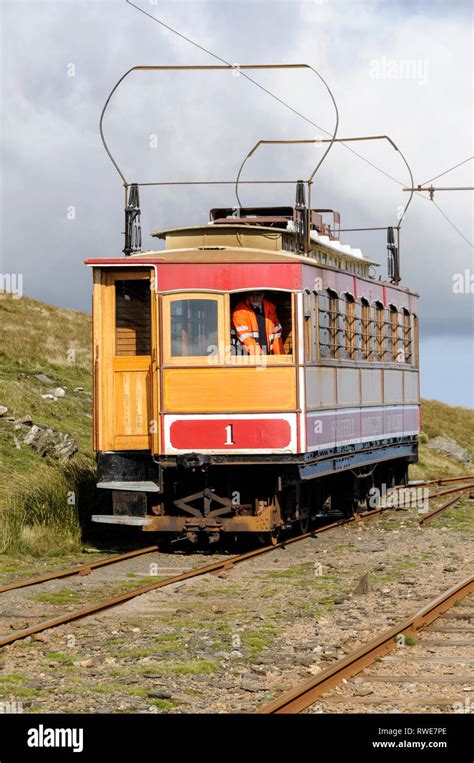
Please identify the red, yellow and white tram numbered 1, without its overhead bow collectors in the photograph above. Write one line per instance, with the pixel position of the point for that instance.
(194, 437)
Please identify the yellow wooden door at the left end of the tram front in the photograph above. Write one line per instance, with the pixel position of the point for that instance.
(126, 368)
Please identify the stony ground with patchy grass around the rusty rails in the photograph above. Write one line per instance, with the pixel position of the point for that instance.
(228, 642)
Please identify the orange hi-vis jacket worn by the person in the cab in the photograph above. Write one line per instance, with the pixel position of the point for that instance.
(246, 328)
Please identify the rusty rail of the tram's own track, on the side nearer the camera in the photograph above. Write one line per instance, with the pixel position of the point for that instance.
(222, 565)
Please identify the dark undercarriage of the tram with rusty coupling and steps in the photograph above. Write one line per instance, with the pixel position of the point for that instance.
(205, 498)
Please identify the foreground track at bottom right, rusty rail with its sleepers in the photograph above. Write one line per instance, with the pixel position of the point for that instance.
(434, 617)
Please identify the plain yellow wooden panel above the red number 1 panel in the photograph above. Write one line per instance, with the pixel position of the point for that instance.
(229, 389)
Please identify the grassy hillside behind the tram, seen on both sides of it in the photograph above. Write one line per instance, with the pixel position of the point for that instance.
(37, 513)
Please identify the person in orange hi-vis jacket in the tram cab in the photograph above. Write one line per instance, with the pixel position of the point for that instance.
(256, 325)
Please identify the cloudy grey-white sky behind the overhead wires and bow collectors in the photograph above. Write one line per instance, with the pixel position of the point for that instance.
(397, 68)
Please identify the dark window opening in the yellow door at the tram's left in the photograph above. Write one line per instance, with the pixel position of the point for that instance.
(132, 317)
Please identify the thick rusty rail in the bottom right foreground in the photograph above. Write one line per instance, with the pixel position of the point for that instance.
(304, 695)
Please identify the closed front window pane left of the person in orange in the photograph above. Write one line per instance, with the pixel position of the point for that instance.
(194, 327)
